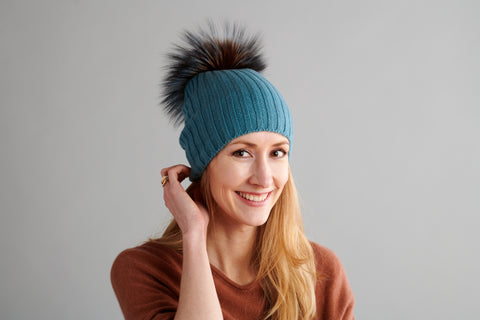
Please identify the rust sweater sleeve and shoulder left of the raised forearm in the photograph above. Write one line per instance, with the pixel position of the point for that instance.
(146, 282)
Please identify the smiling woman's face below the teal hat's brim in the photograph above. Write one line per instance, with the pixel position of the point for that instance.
(247, 177)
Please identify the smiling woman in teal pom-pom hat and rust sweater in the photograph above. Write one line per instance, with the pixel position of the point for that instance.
(236, 247)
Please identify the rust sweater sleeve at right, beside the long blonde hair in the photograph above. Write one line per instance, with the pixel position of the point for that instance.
(335, 299)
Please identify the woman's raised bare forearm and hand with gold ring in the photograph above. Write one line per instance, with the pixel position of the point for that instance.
(198, 297)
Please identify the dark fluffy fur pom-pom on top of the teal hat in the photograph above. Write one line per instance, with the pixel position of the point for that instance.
(206, 51)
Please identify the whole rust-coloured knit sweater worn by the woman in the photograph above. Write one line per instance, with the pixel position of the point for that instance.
(146, 280)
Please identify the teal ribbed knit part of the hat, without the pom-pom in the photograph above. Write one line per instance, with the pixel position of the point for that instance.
(222, 105)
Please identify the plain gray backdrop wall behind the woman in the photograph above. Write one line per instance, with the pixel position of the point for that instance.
(385, 99)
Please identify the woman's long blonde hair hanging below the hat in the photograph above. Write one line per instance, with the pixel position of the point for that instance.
(283, 255)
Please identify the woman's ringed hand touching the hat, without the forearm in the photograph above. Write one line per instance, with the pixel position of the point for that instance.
(190, 214)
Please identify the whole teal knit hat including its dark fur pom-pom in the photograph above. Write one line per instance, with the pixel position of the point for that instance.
(214, 88)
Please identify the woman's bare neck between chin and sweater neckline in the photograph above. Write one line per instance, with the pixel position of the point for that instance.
(231, 251)
